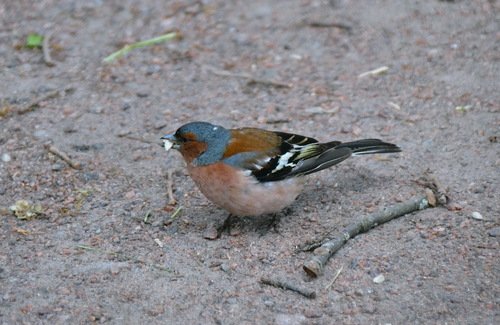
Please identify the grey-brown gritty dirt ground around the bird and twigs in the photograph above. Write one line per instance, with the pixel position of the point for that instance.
(105, 248)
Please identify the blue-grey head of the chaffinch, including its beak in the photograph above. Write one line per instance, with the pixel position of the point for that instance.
(215, 137)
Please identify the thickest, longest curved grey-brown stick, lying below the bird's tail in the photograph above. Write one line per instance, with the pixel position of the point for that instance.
(314, 266)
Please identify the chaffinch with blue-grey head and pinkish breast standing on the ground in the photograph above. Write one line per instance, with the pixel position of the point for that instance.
(250, 171)
